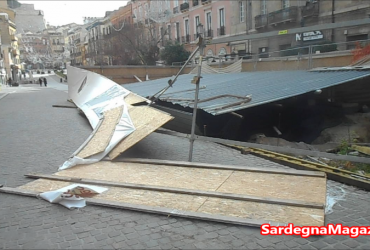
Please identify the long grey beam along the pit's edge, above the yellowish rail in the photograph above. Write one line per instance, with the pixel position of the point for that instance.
(284, 150)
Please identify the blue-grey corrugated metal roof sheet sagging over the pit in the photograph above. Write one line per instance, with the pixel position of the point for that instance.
(264, 87)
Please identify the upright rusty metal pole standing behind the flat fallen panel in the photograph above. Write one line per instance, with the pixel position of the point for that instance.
(196, 80)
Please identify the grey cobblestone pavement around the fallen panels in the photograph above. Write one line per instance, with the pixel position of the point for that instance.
(35, 137)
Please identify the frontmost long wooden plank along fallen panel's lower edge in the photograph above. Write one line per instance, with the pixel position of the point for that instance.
(156, 210)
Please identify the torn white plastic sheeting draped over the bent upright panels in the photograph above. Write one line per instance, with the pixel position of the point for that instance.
(95, 94)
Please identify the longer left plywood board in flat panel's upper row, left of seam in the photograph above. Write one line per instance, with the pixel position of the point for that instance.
(157, 175)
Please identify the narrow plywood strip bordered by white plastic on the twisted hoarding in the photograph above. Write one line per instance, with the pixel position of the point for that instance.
(102, 136)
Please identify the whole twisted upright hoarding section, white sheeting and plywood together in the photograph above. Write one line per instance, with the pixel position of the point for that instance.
(109, 108)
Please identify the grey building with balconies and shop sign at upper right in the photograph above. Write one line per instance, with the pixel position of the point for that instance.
(281, 16)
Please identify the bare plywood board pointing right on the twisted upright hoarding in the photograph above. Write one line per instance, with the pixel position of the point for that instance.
(146, 120)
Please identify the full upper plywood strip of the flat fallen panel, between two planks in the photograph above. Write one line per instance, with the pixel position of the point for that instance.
(300, 188)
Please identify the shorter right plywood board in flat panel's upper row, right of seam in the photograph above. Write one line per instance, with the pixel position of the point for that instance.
(280, 186)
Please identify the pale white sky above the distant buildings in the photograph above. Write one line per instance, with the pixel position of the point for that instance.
(63, 12)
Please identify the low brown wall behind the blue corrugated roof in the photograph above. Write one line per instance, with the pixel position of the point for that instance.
(125, 74)
